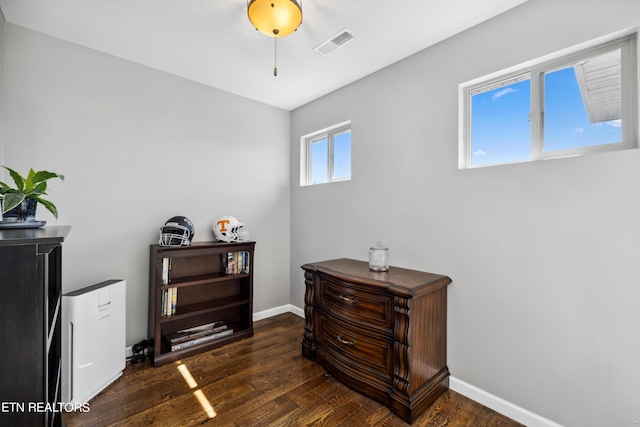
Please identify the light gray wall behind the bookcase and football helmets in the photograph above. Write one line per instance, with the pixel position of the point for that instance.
(138, 146)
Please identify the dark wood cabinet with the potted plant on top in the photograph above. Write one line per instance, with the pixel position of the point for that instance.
(31, 289)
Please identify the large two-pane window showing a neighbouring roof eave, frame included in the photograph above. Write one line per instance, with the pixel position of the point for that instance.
(577, 103)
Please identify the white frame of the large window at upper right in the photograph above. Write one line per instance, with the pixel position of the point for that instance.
(535, 70)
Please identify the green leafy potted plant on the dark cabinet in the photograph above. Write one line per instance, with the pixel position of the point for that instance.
(19, 203)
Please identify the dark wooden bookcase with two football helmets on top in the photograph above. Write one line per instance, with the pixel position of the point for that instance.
(205, 294)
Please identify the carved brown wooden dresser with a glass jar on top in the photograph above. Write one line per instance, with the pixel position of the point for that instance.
(383, 334)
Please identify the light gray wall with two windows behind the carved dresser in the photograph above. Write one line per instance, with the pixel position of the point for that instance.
(544, 256)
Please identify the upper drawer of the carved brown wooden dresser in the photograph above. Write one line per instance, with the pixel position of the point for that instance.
(365, 306)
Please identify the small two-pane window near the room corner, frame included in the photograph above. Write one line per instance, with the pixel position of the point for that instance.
(326, 155)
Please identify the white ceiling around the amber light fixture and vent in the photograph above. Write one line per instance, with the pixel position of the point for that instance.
(213, 42)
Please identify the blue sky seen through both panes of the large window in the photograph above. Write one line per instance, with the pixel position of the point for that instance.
(501, 130)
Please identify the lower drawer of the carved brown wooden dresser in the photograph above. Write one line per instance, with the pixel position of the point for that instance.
(361, 348)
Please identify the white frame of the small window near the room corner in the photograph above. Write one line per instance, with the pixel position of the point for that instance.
(305, 153)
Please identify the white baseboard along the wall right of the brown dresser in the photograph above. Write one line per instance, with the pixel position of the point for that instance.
(500, 405)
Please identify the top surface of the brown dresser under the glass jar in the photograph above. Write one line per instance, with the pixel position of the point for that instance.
(396, 277)
